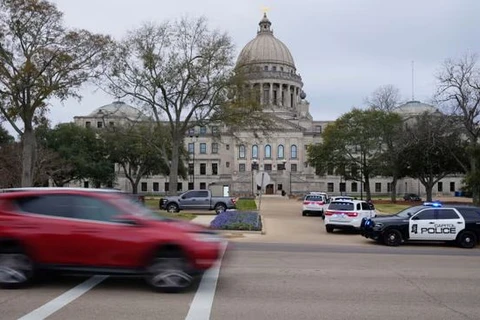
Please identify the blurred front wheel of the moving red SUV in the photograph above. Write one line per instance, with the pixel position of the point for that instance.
(169, 272)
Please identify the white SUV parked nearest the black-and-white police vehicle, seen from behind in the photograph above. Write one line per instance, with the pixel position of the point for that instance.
(347, 214)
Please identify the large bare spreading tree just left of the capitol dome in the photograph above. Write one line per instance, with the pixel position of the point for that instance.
(181, 73)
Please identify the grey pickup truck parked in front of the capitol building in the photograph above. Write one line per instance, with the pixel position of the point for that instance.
(197, 200)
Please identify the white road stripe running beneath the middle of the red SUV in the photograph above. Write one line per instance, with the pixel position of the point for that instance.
(62, 300)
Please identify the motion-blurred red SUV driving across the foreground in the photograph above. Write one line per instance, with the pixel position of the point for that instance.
(98, 232)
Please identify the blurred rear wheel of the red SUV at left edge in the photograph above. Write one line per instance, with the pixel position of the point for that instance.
(16, 269)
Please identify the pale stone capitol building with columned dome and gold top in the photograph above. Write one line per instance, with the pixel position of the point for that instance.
(232, 163)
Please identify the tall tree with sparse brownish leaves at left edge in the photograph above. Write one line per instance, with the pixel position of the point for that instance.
(40, 59)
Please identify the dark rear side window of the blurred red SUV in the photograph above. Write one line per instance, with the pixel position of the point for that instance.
(49, 205)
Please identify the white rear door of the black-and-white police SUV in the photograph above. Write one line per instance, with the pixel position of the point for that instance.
(449, 224)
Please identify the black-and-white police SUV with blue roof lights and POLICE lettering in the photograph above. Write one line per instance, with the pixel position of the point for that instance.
(431, 221)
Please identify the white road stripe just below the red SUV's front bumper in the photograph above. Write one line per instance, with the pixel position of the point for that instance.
(201, 306)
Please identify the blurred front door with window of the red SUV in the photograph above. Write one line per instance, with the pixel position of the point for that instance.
(101, 240)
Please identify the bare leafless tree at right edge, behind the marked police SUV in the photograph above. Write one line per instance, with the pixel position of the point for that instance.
(459, 93)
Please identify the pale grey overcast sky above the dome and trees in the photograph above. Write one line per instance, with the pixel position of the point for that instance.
(343, 49)
